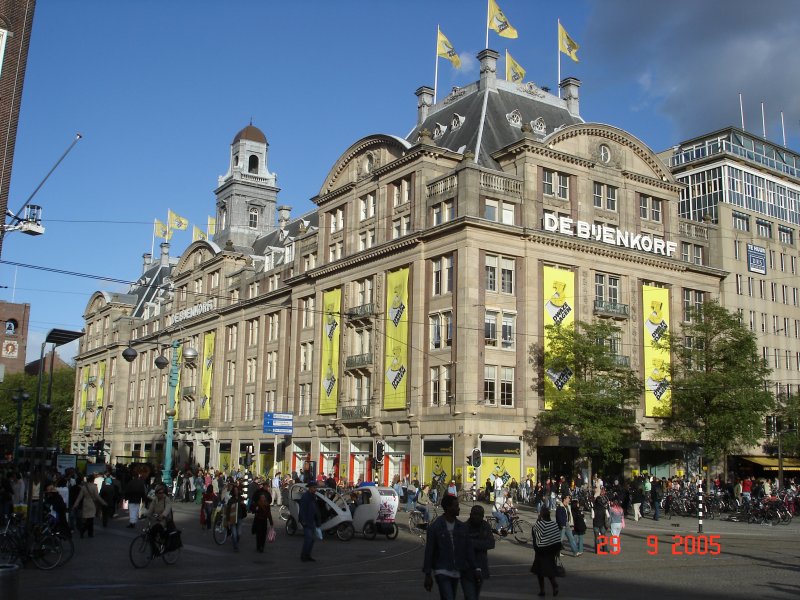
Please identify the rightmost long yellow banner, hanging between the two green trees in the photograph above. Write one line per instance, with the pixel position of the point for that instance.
(655, 310)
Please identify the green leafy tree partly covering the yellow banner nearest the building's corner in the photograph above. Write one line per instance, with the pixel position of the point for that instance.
(591, 392)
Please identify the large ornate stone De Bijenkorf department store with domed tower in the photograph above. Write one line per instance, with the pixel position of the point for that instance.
(405, 306)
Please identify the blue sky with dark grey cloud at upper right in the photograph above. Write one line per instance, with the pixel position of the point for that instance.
(159, 89)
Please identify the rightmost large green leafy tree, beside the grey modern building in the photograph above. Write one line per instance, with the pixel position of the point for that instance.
(720, 395)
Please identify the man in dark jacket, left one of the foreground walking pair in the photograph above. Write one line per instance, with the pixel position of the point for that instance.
(449, 555)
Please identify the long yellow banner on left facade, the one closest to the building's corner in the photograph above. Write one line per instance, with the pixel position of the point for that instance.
(396, 357)
